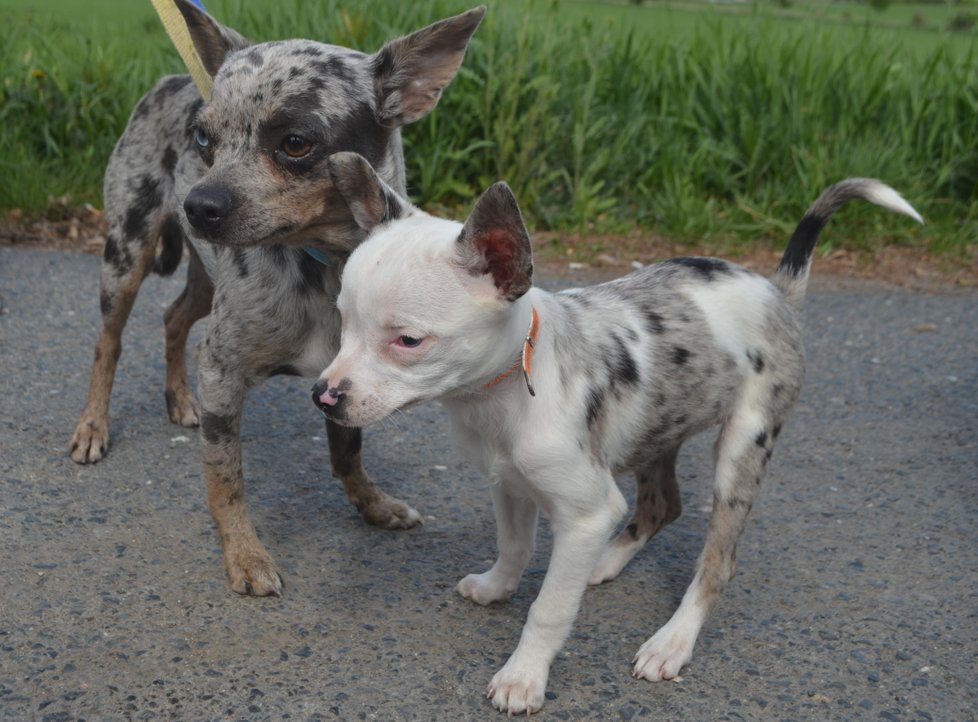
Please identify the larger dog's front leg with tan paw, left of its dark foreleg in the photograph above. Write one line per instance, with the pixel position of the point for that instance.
(221, 393)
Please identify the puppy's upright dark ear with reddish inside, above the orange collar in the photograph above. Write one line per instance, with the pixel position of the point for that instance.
(494, 241)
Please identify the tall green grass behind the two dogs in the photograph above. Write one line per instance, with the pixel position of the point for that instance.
(718, 124)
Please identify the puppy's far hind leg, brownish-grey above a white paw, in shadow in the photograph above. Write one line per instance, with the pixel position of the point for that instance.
(657, 503)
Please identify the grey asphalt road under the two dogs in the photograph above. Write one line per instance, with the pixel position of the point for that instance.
(856, 595)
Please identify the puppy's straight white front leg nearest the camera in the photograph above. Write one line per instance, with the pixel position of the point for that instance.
(580, 532)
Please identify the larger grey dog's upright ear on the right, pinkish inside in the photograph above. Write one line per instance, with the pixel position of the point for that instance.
(410, 72)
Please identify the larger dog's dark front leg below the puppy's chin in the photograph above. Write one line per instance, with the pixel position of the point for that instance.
(374, 505)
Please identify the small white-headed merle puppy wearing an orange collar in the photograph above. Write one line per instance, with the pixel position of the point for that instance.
(551, 394)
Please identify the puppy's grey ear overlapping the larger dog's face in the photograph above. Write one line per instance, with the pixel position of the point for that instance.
(370, 200)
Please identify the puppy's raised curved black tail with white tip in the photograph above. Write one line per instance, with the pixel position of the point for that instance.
(792, 274)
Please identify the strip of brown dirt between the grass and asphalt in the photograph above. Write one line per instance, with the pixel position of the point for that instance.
(83, 228)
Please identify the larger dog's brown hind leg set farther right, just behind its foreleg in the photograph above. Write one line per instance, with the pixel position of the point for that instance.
(192, 305)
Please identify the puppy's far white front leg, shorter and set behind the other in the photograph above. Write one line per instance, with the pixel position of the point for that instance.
(516, 529)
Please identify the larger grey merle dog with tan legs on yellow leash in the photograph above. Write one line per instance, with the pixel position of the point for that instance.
(243, 178)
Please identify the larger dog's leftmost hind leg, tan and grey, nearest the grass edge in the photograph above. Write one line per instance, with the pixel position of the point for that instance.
(124, 266)
